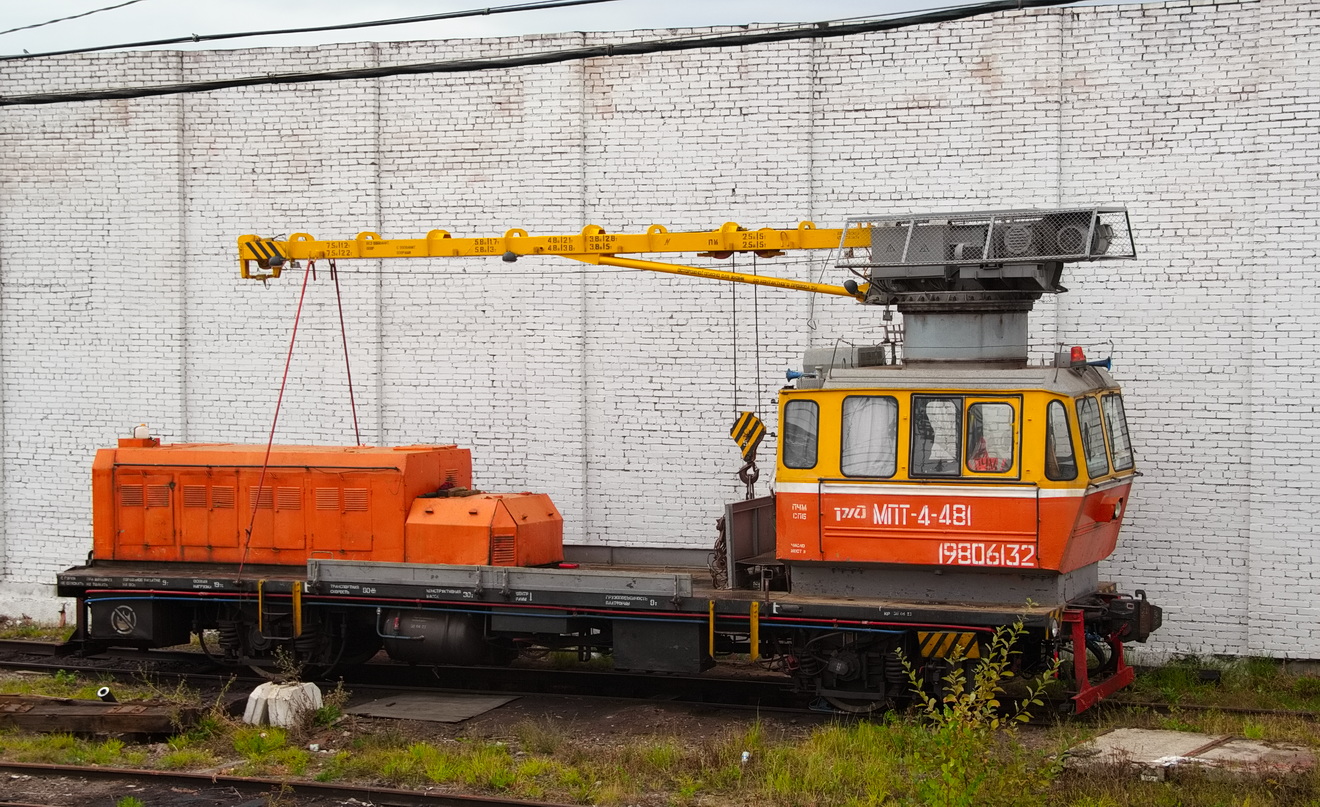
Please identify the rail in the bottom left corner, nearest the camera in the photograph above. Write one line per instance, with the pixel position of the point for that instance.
(214, 790)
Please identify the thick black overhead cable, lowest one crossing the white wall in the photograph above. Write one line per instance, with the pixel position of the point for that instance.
(729, 40)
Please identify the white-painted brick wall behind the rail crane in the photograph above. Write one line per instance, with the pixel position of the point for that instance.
(613, 392)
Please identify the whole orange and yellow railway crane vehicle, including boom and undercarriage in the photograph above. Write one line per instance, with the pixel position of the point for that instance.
(922, 501)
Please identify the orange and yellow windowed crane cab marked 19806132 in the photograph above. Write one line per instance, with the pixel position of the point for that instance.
(1014, 512)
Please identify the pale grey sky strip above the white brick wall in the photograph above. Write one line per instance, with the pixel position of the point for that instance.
(164, 19)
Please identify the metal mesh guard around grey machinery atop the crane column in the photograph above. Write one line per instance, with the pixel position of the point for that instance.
(996, 237)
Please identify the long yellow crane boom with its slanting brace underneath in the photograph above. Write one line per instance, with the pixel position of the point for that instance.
(593, 246)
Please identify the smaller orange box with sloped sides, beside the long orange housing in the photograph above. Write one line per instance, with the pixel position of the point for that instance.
(500, 530)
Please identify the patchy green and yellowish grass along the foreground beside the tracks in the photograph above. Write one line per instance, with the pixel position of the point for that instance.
(947, 754)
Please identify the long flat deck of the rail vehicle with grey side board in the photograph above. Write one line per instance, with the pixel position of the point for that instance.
(661, 591)
